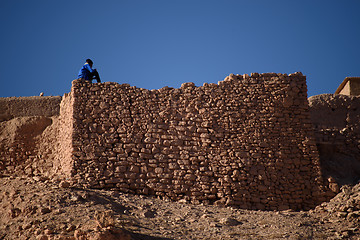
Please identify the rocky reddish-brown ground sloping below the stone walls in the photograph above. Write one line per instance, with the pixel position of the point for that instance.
(38, 208)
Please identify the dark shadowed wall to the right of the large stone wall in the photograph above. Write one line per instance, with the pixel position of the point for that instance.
(337, 131)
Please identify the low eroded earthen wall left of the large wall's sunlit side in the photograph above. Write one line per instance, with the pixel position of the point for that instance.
(23, 122)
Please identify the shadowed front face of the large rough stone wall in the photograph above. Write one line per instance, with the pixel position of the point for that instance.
(247, 141)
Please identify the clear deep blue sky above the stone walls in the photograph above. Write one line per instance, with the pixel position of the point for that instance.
(156, 43)
